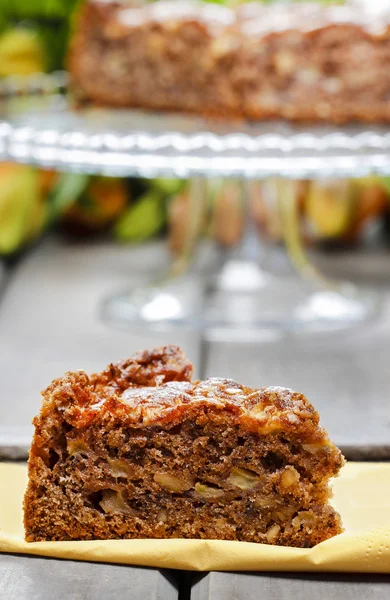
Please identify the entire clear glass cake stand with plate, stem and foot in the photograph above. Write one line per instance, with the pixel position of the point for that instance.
(39, 126)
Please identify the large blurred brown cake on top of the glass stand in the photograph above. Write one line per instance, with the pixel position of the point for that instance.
(305, 61)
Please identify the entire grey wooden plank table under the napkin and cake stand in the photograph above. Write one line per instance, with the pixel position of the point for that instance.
(49, 323)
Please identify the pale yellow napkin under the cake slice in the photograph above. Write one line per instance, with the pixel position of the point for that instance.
(361, 495)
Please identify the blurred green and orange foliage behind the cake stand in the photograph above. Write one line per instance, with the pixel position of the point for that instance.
(34, 35)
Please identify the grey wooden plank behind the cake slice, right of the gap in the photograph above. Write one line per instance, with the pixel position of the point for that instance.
(346, 376)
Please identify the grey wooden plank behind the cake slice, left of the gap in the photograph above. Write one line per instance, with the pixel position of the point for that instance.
(50, 323)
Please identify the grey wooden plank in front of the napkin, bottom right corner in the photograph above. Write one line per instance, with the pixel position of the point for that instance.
(289, 586)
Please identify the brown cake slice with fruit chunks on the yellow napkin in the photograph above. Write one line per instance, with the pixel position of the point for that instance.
(139, 451)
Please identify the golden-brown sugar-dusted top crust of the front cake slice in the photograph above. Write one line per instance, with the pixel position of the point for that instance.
(154, 389)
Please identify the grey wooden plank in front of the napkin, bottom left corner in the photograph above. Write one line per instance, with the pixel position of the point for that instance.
(33, 578)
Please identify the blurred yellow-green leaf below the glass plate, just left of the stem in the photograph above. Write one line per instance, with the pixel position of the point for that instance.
(143, 220)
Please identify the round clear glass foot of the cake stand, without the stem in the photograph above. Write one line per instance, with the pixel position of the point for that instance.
(241, 302)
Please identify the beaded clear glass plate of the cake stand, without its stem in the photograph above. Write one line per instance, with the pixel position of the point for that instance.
(39, 126)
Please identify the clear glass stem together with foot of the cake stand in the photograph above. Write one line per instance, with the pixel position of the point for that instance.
(249, 298)
